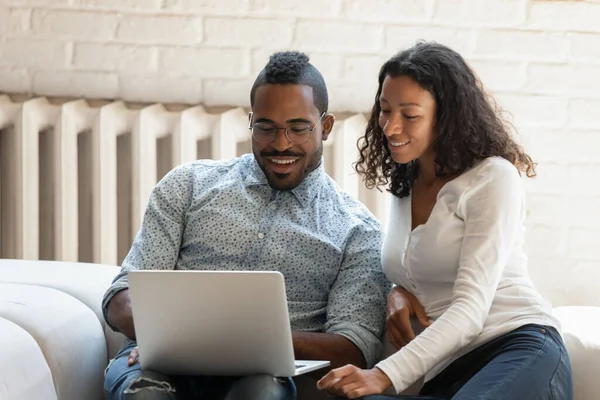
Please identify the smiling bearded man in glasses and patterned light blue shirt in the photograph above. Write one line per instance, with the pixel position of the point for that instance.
(273, 210)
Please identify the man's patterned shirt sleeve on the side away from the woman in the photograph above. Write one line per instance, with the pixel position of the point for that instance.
(157, 243)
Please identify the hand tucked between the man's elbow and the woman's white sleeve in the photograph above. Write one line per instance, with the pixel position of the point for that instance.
(401, 305)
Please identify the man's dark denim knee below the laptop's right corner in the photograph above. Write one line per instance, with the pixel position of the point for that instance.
(262, 387)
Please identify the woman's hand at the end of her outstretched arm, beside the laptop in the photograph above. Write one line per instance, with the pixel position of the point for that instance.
(352, 382)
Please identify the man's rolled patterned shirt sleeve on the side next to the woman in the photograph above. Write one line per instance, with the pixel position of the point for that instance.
(357, 300)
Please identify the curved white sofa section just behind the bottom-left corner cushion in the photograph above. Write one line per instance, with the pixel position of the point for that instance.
(68, 333)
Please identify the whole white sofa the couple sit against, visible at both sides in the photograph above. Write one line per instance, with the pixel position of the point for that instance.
(54, 343)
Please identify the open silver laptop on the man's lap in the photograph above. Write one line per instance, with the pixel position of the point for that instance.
(211, 323)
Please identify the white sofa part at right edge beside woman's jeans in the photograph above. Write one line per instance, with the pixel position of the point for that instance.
(580, 328)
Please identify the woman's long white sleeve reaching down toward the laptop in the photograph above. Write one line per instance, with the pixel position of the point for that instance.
(493, 211)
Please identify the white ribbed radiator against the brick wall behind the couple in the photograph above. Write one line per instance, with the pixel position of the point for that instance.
(75, 177)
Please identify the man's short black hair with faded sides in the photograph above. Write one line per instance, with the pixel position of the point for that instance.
(293, 67)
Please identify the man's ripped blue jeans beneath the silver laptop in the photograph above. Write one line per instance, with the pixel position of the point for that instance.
(124, 382)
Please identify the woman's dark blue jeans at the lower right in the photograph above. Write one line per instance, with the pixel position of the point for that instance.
(529, 363)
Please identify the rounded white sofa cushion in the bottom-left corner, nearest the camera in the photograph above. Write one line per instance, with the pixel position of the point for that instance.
(25, 373)
